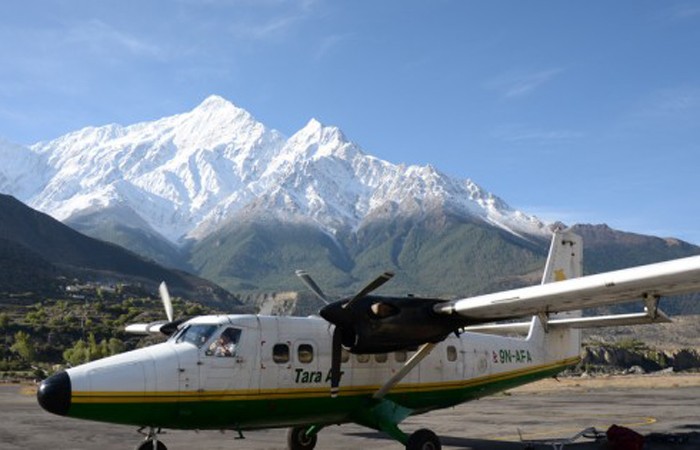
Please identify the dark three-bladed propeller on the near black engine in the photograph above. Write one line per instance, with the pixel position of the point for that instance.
(341, 317)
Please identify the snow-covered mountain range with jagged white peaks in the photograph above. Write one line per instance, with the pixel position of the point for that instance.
(185, 176)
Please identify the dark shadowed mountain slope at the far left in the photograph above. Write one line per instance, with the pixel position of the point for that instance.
(37, 253)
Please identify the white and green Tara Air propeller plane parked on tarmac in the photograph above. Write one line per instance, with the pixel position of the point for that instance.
(370, 360)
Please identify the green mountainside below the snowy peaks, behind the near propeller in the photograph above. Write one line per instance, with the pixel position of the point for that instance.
(456, 258)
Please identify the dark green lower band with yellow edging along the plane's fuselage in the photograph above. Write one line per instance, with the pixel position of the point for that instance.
(283, 408)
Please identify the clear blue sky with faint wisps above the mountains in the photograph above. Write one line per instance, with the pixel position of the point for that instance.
(581, 111)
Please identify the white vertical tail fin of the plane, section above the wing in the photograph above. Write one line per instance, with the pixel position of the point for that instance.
(565, 260)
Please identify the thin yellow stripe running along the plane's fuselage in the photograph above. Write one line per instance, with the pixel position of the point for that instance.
(322, 391)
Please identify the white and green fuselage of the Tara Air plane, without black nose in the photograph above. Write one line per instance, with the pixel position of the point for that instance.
(279, 374)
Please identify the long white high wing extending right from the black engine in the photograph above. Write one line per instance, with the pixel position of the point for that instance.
(680, 276)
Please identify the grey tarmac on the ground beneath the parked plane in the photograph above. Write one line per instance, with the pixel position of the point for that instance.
(662, 408)
